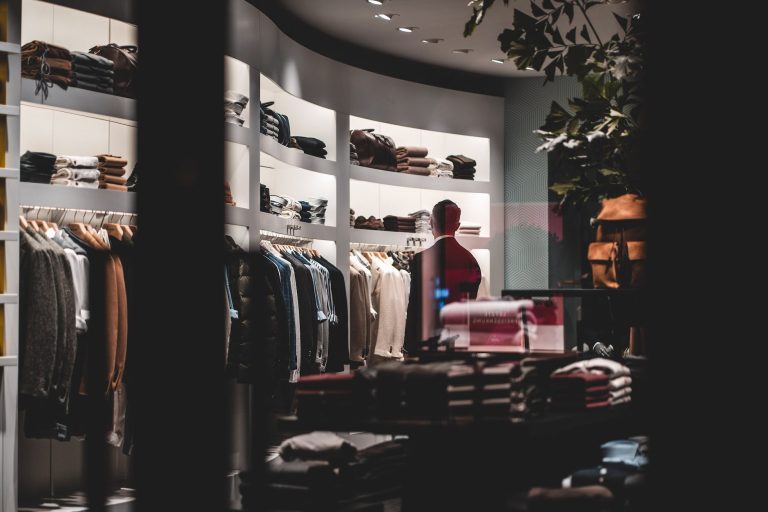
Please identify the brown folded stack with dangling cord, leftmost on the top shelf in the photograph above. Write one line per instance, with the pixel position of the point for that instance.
(46, 63)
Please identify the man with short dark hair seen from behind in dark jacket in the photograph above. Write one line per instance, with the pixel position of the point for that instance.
(441, 274)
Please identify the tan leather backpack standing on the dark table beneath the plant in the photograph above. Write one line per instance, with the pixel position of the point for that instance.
(618, 255)
